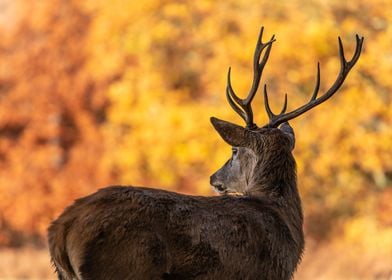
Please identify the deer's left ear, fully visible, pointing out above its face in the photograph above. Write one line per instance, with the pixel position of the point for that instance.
(233, 134)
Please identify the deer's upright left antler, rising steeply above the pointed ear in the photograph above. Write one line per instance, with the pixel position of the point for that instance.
(243, 106)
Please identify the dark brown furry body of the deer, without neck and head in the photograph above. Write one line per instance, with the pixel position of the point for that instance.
(140, 233)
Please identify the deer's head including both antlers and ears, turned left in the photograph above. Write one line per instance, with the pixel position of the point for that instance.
(262, 158)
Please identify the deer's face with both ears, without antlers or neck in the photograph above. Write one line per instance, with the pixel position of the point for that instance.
(251, 150)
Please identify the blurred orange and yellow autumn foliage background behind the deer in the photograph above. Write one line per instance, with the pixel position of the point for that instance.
(94, 93)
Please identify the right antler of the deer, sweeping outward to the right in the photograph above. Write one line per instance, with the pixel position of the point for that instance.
(345, 67)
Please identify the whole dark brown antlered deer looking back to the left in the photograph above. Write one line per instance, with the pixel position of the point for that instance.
(253, 228)
